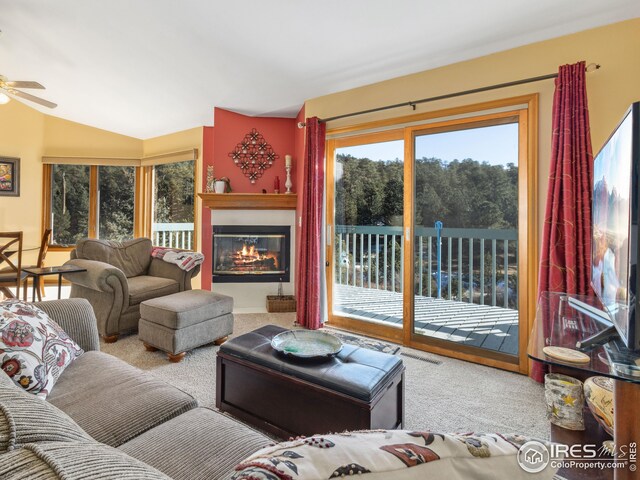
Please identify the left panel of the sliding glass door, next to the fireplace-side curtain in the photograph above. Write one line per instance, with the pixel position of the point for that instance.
(367, 257)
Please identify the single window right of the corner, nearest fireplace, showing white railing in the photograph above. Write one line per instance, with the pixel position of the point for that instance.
(173, 205)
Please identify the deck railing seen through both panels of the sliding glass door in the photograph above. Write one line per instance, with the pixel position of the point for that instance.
(473, 265)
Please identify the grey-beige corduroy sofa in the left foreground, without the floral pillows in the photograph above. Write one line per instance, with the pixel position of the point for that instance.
(107, 419)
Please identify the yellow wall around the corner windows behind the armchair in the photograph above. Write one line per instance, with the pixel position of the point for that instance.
(28, 134)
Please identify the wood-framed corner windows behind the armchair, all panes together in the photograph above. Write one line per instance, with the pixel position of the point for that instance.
(121, 199)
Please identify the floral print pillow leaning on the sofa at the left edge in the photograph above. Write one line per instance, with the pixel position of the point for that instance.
(34, 350)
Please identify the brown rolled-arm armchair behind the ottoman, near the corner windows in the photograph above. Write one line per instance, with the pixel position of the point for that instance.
(119, 276)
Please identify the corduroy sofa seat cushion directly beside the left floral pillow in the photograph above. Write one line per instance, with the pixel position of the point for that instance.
(113, 401)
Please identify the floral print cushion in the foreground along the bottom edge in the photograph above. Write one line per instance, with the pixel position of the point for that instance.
(386, 454)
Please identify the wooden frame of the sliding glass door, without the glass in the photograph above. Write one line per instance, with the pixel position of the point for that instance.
(526, 109)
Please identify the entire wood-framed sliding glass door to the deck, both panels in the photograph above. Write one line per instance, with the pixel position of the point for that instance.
(432, 233)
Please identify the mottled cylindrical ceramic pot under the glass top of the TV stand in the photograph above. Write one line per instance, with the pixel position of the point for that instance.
(565, 401)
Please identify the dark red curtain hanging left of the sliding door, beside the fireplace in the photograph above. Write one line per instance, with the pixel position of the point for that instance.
(308, 280)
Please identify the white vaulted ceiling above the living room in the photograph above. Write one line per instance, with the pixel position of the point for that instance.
(149, 67)
